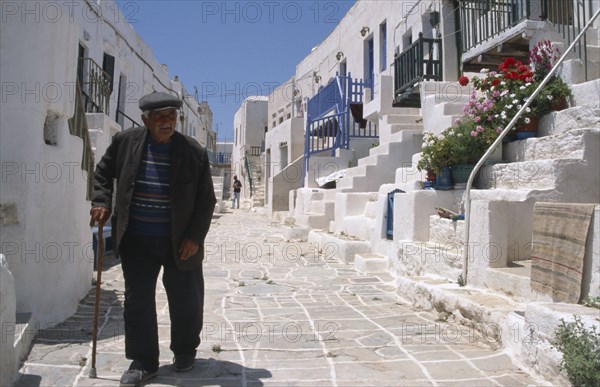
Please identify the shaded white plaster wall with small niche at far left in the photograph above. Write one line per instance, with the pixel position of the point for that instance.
(48, 249)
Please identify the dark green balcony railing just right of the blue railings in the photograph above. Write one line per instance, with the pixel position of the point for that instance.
(422, 60)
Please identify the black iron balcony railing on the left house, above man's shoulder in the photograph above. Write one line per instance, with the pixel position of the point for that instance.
(96, 86)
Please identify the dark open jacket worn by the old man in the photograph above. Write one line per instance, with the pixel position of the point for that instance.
(192, 193)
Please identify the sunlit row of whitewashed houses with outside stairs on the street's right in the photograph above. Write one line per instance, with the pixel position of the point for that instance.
(409, 55)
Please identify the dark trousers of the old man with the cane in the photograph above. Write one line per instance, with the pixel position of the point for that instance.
(142, 258)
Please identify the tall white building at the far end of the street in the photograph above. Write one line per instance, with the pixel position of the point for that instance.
(249, 127)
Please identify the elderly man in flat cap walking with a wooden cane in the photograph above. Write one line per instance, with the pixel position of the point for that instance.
(162, 212)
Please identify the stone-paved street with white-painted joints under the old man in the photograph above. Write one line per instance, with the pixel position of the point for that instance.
(280, 313)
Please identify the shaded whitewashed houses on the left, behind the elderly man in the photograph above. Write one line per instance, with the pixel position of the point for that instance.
(72, 74)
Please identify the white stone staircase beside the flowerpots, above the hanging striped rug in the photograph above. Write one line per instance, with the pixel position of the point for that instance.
(560, 166)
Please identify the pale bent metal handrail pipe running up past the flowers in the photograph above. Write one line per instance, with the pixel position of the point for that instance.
(499, 140)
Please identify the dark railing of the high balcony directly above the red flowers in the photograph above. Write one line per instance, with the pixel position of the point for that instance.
(483, 19)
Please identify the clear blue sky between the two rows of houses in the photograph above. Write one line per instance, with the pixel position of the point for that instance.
(230, 50)
